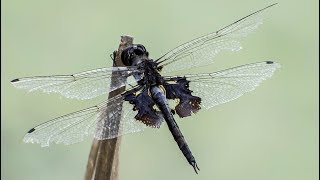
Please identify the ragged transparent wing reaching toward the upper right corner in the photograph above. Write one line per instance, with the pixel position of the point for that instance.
(202, 50)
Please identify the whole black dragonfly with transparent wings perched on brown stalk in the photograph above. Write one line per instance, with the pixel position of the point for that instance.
(152, 95)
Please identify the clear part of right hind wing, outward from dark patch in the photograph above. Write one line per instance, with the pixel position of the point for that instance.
(224, 86)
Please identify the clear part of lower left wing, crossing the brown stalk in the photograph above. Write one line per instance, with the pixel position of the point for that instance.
(74, 127)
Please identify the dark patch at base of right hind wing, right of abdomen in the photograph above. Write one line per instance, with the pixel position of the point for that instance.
(178, 88)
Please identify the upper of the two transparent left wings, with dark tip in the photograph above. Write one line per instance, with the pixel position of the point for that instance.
(84, 85)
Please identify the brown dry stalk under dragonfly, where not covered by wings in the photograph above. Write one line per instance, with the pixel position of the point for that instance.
(103, 161)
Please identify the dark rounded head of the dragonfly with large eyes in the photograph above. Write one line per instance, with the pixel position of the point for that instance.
(134, 55)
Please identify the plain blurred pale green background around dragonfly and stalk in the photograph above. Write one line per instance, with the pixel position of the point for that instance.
(268, 134)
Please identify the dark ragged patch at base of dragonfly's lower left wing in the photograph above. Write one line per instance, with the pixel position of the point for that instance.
(144, 104)
